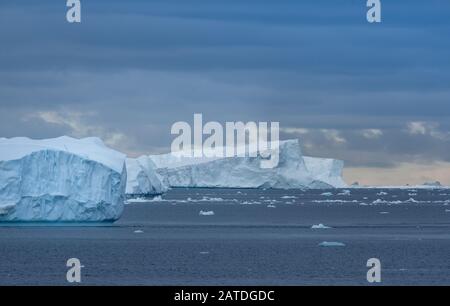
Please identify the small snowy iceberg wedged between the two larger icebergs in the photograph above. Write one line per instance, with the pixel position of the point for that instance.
(142, 179)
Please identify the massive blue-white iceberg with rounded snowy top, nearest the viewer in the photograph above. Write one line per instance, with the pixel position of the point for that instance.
(61, 179)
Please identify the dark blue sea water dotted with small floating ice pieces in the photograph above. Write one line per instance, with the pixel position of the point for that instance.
(255, 237)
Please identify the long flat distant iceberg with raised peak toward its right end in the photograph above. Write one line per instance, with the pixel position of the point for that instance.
(292, 171)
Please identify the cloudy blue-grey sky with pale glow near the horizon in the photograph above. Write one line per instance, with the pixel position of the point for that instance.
(374, 95)
